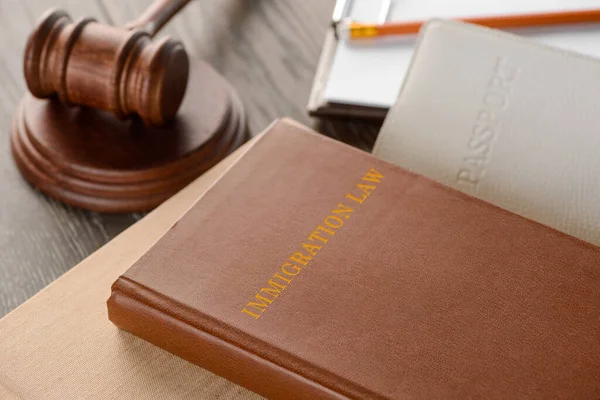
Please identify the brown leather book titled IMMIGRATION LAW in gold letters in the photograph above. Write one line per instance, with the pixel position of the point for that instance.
(312, 270)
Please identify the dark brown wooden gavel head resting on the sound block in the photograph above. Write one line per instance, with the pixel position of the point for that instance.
(106, 67)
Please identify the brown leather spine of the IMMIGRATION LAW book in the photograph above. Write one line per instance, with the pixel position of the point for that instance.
(212, 353)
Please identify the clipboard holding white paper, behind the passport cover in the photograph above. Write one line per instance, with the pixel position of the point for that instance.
(374, 85)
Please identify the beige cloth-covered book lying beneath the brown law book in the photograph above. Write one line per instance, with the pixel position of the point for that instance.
(60, 345)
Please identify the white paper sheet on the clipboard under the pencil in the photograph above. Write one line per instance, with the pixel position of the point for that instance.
(371, 74)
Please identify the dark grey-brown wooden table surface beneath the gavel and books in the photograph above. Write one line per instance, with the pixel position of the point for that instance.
(268, 50)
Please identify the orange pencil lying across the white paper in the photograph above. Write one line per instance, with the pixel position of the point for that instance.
(358, 31)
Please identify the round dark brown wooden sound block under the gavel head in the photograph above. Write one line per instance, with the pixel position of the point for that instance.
(90, 159)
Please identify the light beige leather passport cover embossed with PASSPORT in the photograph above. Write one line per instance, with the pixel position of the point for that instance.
(505, 119)
